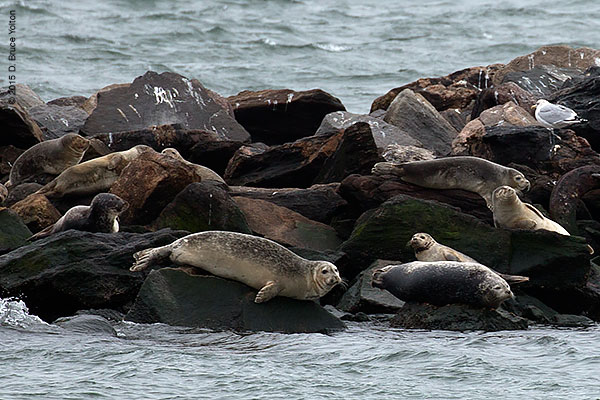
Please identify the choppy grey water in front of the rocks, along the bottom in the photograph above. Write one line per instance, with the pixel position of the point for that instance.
(368, 361)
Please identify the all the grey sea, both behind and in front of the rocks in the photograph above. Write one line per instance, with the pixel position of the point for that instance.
(355, 50)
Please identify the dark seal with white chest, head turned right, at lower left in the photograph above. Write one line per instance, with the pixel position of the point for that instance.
(100, 216)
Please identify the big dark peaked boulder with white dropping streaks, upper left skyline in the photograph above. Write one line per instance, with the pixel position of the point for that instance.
(160, 99)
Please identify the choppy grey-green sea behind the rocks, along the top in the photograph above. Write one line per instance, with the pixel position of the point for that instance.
(356, 50)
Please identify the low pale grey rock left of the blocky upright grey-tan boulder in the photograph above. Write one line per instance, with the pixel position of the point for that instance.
(383, 133)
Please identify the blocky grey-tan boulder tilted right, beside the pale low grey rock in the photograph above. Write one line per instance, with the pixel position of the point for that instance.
(412, 113)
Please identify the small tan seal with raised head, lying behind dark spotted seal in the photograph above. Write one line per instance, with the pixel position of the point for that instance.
(427, 249)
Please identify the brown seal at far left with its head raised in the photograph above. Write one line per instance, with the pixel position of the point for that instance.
(50, 157)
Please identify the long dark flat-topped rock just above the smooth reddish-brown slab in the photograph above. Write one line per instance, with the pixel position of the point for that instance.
(318, 202)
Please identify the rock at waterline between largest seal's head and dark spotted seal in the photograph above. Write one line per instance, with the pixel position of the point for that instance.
(362, 297)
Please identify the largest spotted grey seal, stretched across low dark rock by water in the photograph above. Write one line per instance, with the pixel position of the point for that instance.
(258, 262)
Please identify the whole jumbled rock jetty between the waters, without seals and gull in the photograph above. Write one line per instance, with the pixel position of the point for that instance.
(297, 169)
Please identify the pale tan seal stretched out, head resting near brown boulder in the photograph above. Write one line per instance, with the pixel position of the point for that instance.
(93, 176)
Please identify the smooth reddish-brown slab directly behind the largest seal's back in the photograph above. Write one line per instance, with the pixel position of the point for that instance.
(286, 226)
